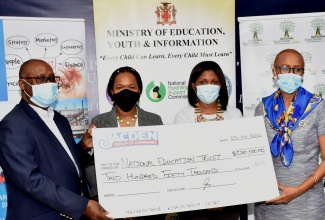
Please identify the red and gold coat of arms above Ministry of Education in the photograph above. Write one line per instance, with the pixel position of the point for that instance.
(166, 14)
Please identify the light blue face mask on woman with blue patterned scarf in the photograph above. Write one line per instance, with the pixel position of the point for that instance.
(289, 82)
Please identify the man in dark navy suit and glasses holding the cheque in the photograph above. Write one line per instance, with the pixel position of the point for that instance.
(39, 156)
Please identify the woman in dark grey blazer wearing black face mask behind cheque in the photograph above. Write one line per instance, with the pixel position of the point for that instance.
(124, 89)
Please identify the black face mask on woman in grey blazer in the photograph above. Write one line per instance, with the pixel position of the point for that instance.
(126, 99)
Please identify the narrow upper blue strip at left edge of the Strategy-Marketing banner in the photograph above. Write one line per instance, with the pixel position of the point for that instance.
(3, 78)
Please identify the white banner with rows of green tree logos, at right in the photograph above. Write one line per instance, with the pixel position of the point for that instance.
(262, 37)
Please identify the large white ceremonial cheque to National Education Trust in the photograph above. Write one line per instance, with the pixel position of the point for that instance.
(173, 168)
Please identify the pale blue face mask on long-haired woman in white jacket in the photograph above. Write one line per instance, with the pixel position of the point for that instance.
(208, 93)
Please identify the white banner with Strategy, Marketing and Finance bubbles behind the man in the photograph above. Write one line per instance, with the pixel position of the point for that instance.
(59, 42)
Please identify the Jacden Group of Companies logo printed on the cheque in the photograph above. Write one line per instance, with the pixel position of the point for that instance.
(132, 138)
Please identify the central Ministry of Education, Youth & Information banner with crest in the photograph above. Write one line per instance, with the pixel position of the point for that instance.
(163, 41)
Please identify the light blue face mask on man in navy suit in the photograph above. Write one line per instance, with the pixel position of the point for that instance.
(43, 94)
